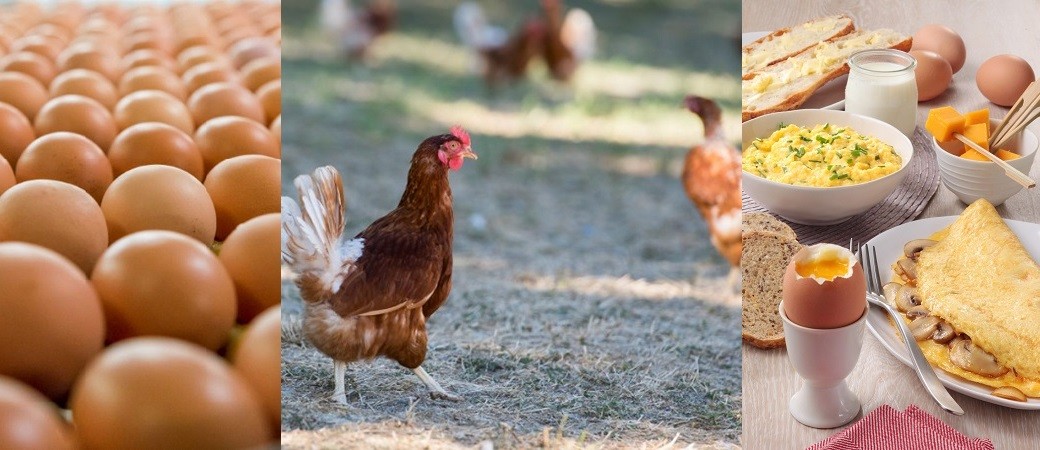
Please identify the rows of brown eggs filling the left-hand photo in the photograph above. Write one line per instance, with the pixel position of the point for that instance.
(140, 180)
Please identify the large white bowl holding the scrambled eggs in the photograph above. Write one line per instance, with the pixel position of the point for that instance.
(819, 206)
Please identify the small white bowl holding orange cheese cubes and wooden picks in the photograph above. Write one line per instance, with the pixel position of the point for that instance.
(971, 180)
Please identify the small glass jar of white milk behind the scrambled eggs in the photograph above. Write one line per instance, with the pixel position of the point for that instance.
(882, 86)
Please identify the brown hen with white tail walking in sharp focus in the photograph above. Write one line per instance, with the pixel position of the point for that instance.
(371, 297)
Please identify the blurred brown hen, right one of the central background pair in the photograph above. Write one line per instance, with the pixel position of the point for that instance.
(569, 40)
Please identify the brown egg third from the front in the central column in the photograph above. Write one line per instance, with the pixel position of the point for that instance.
(159, 198)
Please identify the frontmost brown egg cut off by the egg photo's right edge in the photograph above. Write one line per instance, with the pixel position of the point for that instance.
(258, 360)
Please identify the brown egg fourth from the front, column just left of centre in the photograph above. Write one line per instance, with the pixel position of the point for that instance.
(67, 157)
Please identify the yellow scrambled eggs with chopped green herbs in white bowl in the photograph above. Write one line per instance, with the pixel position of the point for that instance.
(825, 156)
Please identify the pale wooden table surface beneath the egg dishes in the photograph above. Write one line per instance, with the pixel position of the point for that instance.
(989, 29)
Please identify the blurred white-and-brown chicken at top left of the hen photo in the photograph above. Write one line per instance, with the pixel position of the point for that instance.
(353, 31)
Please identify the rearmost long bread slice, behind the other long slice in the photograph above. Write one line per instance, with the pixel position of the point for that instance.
(786, 43)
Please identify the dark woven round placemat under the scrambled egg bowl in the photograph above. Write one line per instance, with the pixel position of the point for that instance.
(902, 206)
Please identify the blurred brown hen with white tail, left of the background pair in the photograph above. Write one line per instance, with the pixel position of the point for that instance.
(502, 58)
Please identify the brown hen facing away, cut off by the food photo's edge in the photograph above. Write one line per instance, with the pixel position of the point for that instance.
(712, 177)
